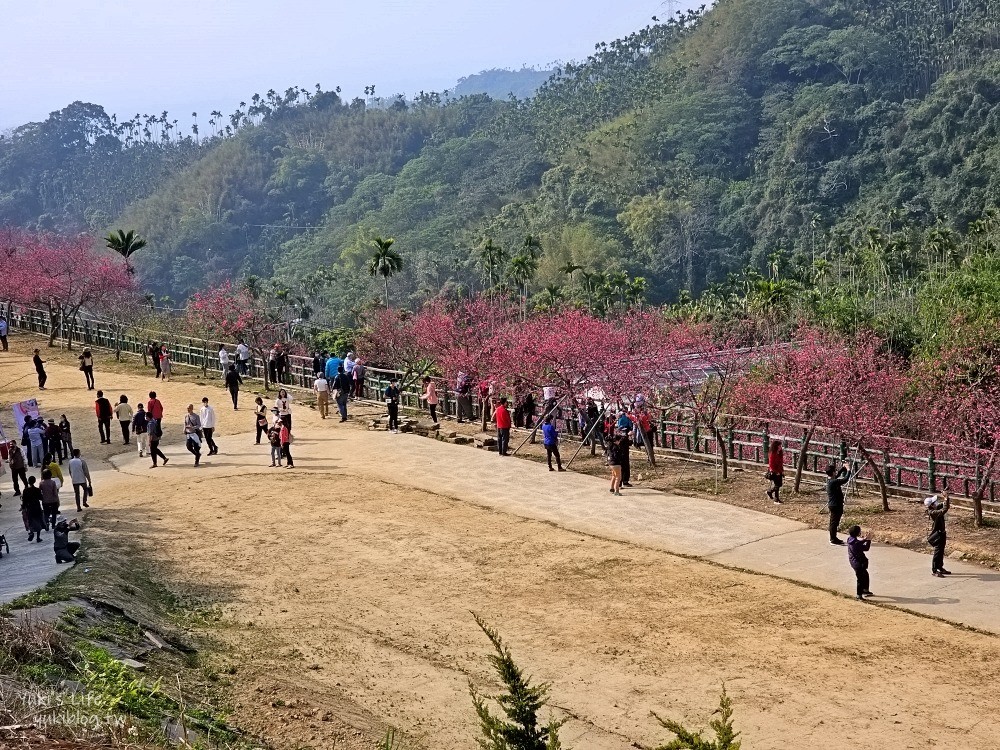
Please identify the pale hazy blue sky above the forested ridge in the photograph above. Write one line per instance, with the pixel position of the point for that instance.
(187, 55)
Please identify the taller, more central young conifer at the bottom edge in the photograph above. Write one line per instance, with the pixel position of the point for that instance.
(520, 702)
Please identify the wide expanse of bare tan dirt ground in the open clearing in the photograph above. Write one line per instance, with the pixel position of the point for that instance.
(341, 602)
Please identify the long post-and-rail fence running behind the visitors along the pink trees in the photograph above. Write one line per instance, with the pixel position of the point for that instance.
(904, 465)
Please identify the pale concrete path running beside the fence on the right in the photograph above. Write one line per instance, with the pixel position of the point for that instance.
(717, 532)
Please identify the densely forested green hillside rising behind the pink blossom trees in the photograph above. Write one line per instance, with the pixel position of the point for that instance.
(843, 148)
